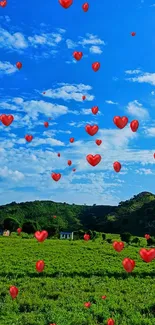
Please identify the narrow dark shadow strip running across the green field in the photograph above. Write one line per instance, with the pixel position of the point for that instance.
(116, 275)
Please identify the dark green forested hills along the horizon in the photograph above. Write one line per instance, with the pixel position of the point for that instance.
(136, 216)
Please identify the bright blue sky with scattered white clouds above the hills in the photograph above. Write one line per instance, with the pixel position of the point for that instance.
(43, 36)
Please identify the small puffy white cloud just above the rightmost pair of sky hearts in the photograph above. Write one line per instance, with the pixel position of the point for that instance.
(136, 109)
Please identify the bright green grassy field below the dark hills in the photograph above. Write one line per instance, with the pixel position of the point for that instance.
(75, 273)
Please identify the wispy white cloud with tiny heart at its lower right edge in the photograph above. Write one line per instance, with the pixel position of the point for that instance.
(70, 92)
